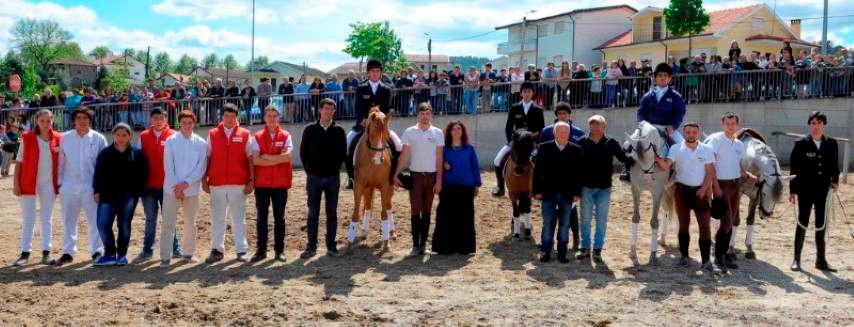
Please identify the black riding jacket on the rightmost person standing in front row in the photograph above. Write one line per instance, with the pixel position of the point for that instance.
(814, 169)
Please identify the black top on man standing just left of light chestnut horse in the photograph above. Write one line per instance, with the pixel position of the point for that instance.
(322, 151)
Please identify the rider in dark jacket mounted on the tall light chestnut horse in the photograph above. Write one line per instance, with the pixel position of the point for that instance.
(370, 94)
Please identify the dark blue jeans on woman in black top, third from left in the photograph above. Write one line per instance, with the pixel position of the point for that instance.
(110, 211)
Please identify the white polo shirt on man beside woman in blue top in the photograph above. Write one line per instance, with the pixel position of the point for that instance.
(422, 147)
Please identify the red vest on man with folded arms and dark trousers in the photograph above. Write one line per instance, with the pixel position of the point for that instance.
(278, 176)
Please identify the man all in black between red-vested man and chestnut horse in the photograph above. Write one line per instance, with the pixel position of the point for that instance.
(322, 151)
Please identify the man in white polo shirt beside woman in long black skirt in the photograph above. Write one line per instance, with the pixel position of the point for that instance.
(422, 143)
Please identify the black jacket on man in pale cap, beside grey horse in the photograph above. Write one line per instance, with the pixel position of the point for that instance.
(599, 161)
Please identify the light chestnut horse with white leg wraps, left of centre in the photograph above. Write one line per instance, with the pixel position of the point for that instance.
(373, 164)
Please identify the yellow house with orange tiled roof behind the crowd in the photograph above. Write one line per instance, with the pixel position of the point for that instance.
(755, 28)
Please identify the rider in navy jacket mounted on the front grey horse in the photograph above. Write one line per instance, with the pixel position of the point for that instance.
(662, 107)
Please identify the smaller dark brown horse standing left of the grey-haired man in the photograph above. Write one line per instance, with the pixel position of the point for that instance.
(519, 174)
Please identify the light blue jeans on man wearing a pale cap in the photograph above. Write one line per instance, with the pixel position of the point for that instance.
(594, 200)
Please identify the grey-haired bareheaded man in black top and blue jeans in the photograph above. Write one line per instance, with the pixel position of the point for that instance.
(557, 182)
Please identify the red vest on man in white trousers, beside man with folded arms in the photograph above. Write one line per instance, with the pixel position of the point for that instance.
(228, 163)
